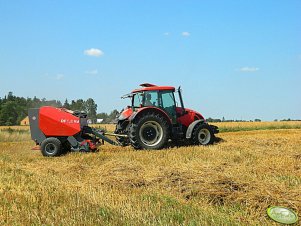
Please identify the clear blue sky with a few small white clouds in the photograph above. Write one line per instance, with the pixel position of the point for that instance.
(237, 59)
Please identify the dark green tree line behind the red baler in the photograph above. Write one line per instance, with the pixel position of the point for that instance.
(13, 109)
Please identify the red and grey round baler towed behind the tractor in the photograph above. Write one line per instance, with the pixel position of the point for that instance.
(57, 130)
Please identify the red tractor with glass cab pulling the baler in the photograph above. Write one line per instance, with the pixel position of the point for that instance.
(154, 118)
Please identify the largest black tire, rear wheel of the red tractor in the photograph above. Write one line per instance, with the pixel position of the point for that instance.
(150, 131)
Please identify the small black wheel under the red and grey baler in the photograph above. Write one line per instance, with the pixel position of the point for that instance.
(51, 147)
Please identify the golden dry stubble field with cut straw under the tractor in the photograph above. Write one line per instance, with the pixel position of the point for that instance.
(230, 183)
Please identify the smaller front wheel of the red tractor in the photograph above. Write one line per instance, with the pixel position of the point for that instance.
(203, 135)
